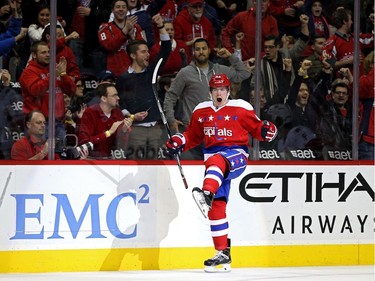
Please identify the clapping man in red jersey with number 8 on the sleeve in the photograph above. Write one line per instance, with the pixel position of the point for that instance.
(115, 35)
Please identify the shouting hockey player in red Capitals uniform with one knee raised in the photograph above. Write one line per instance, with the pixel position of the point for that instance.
(224, 126)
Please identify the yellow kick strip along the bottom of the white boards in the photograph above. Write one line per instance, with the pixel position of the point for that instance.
(182, 258)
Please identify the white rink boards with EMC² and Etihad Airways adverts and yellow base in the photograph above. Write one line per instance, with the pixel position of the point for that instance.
(119, 217)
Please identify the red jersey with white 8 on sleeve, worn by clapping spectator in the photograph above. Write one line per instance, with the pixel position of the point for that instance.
(115, 41)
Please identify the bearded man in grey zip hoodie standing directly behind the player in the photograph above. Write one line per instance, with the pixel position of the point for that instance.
(191, 84)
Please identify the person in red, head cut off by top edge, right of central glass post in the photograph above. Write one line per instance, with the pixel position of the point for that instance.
(287, 13)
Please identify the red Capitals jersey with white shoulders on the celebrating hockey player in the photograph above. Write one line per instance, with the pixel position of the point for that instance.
(224, 127)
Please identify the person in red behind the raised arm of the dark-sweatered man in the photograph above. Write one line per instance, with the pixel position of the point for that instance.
(179, 56)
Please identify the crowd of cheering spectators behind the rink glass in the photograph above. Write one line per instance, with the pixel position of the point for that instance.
(106, 52)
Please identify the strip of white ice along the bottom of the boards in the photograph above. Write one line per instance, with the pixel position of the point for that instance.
(329, 273)
